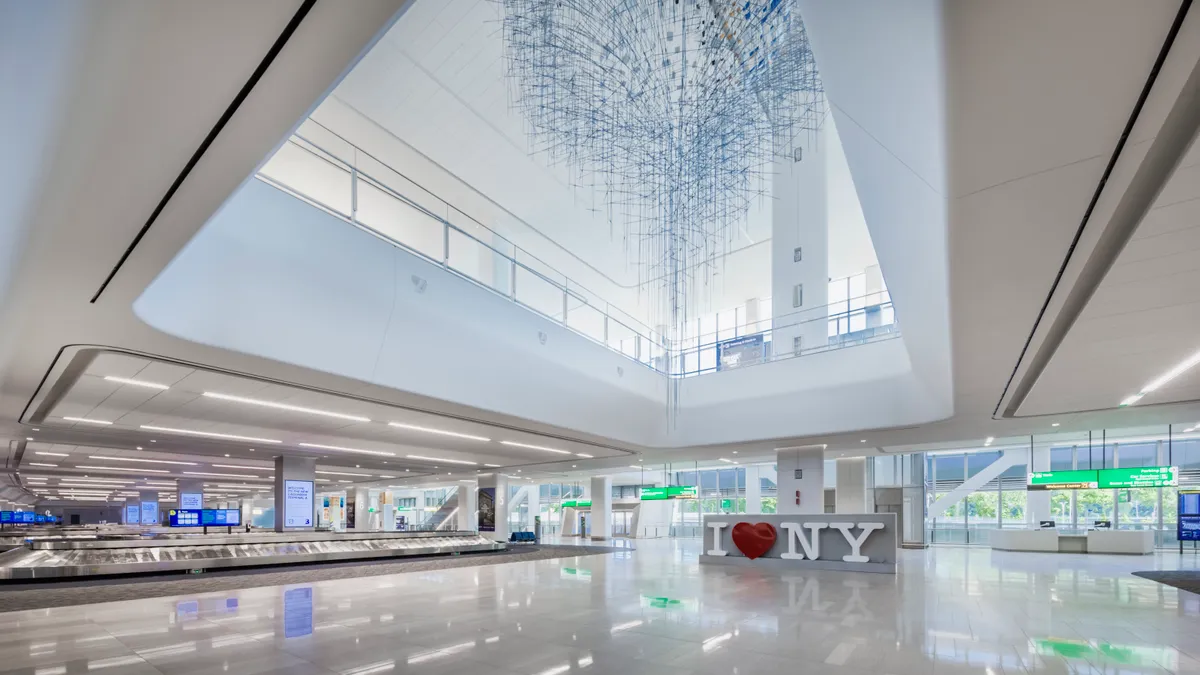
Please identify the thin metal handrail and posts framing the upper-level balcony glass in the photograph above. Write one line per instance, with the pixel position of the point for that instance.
(670, 354)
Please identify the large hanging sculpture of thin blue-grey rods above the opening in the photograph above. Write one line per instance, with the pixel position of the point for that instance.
(674, 112)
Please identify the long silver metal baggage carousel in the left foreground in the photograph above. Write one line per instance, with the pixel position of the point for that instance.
(200, 553)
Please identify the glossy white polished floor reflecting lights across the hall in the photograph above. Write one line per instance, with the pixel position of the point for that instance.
(649, 612)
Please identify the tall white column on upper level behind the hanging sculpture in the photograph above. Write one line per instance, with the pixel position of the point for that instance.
(801, 220)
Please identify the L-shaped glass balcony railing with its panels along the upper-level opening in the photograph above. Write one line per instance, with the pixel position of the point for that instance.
(333, 175)
